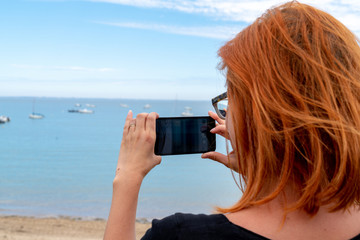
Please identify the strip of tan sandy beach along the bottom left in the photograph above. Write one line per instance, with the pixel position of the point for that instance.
(62, 228)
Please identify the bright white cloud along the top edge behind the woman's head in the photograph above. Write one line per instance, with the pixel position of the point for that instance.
(347, 11)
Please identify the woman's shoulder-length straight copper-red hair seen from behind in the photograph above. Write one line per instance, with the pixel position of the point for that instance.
(294, 91)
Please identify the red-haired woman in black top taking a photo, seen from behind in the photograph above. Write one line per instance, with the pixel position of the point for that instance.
(293, 80)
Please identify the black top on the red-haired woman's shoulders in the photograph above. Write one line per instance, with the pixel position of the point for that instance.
(196, 227)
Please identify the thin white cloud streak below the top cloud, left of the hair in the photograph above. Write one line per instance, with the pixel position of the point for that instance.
(217, 32)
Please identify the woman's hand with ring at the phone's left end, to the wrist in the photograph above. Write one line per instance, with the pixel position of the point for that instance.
(137, 155)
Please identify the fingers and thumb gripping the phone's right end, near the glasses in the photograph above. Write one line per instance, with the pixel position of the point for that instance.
(229, 160)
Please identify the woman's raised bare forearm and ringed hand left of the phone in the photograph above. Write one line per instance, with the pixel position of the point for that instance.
(136, 159)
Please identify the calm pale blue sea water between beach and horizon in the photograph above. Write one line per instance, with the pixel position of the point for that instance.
(64, 164)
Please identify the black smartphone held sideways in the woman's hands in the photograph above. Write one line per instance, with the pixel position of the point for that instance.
(184, 135)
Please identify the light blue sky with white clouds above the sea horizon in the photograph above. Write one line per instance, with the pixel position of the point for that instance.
(139, 49)
